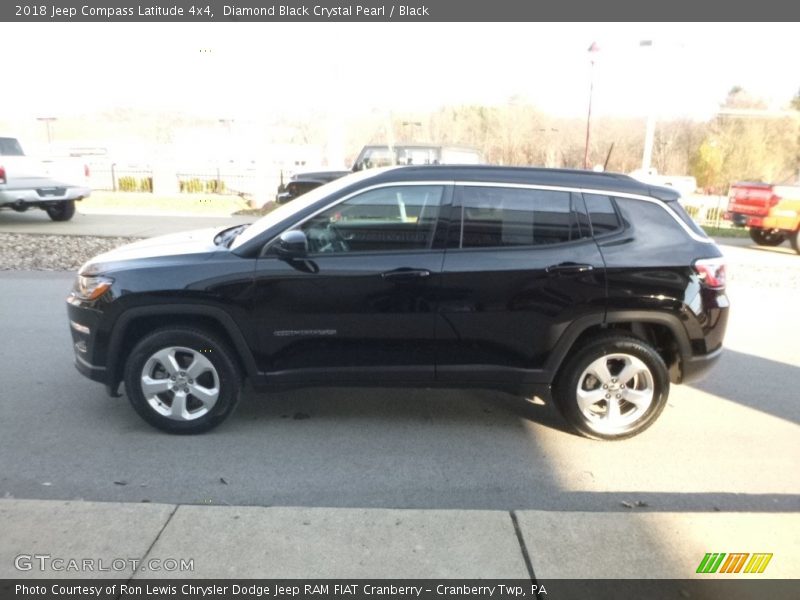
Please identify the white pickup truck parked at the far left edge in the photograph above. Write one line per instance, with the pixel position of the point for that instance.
(28, 183)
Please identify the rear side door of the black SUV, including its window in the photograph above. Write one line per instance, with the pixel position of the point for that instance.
(520, 266)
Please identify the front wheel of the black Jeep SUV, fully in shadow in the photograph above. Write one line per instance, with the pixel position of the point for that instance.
(186, 346)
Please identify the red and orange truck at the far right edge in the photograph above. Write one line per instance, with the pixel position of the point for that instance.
(770, 212)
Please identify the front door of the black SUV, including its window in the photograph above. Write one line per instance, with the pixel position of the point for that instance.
(360, 307)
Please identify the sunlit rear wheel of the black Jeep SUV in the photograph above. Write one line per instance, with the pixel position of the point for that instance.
(619, 350)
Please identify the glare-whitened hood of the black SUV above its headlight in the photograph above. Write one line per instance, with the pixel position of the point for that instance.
(168, 247)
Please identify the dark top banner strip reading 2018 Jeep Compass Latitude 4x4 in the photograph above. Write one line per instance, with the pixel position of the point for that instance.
(383, 10)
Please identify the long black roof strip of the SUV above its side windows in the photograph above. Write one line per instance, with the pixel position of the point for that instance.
(523, 175)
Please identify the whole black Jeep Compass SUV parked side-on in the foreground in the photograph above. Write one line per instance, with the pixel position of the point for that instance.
(592, 289)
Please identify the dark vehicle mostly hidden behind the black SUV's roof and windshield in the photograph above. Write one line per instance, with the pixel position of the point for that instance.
(373, 156)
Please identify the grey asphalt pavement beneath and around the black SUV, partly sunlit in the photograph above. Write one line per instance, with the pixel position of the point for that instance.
(729, 443)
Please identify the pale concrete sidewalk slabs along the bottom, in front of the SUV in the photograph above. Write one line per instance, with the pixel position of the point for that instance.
(280, 542)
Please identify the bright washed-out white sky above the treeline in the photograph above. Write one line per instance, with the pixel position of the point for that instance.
(240, 70)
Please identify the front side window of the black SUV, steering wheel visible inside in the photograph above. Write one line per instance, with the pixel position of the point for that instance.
(384, 219)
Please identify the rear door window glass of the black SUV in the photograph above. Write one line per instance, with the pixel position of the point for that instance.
(498, 216)
